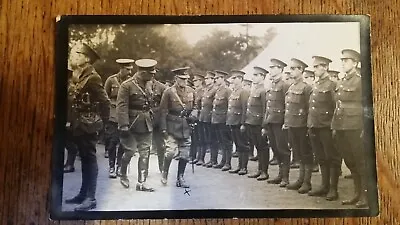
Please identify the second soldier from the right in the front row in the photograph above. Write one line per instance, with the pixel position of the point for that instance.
(321, 107)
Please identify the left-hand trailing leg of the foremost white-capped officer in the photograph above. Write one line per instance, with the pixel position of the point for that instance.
(129, 145)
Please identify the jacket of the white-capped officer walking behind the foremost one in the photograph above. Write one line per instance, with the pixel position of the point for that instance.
(112, 86)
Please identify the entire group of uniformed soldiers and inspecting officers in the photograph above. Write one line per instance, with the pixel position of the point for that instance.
(186, 122)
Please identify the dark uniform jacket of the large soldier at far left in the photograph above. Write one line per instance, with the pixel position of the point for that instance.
(90, 102)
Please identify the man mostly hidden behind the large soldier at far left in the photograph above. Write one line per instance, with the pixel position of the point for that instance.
(70, 145)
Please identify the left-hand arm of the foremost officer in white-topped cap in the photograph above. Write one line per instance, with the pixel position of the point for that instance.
(123, 105)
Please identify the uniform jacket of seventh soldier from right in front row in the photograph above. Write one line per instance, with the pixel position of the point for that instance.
(220, 104)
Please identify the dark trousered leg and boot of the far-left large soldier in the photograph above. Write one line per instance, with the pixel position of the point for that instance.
(89, 161)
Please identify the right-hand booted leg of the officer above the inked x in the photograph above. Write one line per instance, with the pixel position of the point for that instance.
(184, 150)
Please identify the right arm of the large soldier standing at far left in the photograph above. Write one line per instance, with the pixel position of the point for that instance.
(95, 85)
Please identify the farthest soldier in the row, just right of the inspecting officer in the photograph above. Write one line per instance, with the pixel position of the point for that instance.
(195, 148)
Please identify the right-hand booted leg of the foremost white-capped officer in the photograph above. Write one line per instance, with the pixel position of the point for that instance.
(143, 145)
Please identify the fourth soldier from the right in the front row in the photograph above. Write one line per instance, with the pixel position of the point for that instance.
(273, 122)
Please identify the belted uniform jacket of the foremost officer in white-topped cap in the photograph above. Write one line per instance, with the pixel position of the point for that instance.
(134, 106)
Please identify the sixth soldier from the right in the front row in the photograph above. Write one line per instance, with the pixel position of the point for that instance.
(236, 115)
